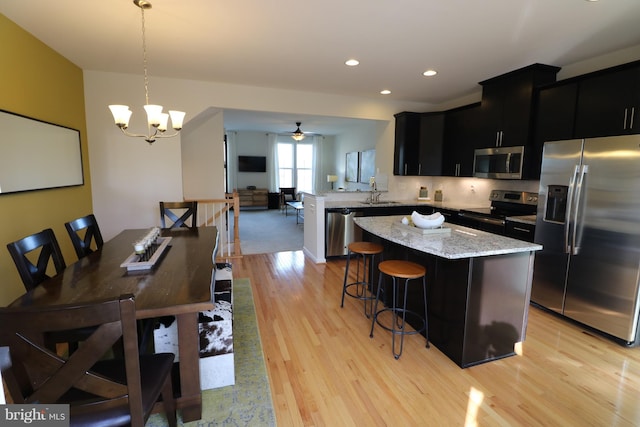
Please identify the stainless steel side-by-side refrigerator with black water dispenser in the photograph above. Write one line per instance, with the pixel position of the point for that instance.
(588, 222)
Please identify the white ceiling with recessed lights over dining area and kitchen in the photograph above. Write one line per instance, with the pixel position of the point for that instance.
(302, 45)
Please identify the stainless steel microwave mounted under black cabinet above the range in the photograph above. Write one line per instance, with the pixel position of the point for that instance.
(499, 163)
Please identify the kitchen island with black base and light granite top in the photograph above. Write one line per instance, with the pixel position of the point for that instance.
(479, 285)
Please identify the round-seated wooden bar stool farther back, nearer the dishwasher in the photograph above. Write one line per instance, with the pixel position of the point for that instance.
(363, 286)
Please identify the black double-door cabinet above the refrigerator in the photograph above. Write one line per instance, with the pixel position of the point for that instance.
(609, 103)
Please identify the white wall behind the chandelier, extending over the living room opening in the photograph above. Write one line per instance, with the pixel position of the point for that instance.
(129, 176)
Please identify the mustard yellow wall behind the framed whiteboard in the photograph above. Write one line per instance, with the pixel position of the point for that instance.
(37, 82)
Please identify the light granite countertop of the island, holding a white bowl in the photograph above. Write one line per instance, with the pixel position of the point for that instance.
(461, 242)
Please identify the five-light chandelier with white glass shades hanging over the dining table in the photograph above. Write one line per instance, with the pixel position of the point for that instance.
(156, 120)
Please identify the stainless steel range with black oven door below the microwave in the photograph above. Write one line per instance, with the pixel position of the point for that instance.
(504, 204)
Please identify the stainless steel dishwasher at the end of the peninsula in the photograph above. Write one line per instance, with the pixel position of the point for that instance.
(340, 230)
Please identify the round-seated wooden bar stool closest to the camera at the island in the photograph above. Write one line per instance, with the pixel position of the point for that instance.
(398, 269)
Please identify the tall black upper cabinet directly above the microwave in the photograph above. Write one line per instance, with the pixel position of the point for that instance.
(507, 105)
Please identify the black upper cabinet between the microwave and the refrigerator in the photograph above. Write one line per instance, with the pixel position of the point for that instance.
(554, 121)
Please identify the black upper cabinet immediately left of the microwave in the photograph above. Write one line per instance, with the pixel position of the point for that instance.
(460, 140)
